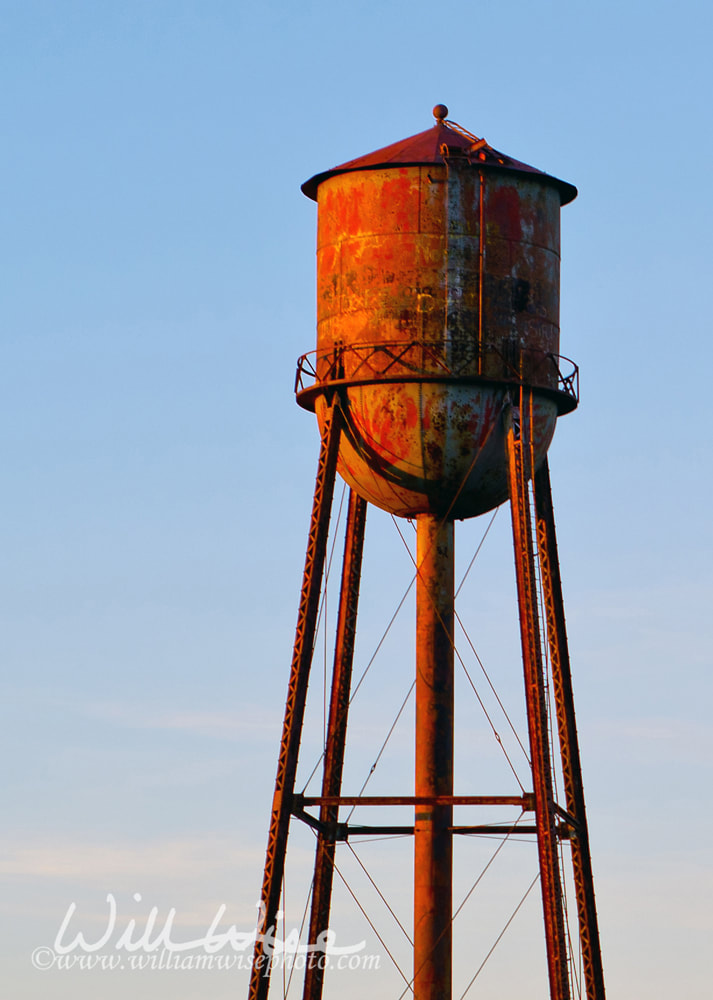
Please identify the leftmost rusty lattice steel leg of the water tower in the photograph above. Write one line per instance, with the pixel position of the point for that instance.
(295, 704)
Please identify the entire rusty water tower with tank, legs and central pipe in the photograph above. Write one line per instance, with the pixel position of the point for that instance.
(437, 383)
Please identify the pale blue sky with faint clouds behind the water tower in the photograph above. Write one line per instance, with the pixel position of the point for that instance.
(158, 285)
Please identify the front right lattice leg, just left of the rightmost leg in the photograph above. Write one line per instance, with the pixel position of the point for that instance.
(550, 874)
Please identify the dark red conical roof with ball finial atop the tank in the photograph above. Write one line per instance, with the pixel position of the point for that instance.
(426, 147)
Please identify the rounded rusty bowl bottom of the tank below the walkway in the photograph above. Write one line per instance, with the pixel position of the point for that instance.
(433, 447)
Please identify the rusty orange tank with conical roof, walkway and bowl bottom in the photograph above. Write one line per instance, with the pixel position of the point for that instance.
(437, 308)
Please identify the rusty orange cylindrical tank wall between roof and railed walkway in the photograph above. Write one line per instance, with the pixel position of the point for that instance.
(401, 253)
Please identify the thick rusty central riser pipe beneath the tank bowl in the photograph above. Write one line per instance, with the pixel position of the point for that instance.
(433, 847)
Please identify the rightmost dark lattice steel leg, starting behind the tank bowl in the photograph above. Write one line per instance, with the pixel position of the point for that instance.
(569, 744)
